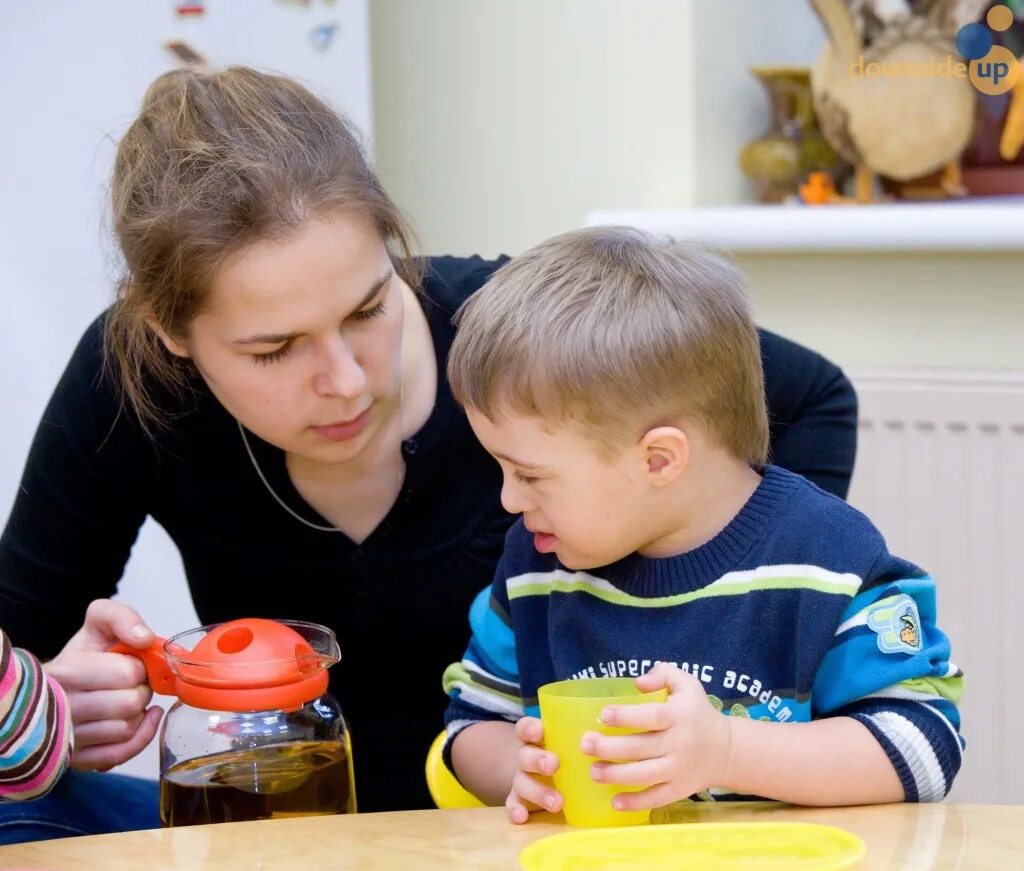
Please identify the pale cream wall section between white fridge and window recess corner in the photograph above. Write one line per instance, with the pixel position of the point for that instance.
(501, 123)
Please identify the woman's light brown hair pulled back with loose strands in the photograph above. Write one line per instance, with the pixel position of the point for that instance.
(217, 162)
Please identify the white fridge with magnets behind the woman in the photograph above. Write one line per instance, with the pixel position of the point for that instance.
(72, 78)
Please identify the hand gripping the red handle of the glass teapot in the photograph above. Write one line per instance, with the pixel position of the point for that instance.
(108, 692)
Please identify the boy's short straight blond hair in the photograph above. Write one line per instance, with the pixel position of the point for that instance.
(617, 332)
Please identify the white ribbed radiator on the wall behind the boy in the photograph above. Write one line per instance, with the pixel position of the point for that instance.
(941, 471)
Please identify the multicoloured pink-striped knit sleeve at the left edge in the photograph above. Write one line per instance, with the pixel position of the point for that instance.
(35, 726)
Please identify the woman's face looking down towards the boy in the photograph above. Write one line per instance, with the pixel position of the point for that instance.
(302, 339)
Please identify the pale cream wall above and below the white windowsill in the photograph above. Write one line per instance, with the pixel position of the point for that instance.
(498, 124)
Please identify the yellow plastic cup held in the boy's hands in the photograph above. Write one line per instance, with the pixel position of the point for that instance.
(569, 709)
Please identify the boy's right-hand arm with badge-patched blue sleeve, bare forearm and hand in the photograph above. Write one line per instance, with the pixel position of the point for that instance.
(887, 726)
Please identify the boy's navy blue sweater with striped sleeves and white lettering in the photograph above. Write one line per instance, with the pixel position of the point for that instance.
(795, 612)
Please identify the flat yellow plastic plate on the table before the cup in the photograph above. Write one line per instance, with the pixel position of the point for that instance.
(696, 847)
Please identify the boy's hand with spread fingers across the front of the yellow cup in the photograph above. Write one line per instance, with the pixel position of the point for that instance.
(686, 751)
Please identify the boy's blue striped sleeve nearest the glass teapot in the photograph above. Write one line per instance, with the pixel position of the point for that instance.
(485, 685)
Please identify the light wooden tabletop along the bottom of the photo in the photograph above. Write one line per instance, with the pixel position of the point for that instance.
(899, 837)
